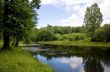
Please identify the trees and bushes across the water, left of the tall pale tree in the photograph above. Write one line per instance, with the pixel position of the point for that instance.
(61, 33)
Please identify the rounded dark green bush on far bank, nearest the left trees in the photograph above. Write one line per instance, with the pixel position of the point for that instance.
(45, 35)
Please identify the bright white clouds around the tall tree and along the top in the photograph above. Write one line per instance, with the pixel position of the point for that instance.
(78, 7)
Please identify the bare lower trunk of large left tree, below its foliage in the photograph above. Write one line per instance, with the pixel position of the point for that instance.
(6, 38)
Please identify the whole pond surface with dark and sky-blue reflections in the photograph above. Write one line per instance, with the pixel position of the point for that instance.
(75, 59)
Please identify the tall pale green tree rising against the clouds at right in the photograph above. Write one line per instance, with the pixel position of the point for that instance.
(93, 18)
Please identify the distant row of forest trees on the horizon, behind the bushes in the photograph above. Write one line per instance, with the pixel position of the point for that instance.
(63, 29)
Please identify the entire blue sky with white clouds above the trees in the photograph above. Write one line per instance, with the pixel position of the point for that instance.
(69, 12)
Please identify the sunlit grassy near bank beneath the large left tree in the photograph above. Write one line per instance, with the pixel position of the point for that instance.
(17, 60)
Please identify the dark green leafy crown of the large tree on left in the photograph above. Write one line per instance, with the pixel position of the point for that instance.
(20, 17)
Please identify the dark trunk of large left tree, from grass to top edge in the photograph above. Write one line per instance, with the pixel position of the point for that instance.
(6, 35)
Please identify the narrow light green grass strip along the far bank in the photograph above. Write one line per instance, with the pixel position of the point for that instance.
(76, 43)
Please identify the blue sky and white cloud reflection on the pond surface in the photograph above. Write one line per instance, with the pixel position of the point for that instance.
(64, 64)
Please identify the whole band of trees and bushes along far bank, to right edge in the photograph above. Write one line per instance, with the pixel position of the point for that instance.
(50, 33)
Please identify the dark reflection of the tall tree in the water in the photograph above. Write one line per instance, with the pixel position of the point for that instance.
(92, 62)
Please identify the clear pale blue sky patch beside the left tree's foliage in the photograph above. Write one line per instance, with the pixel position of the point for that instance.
(49, 14)
